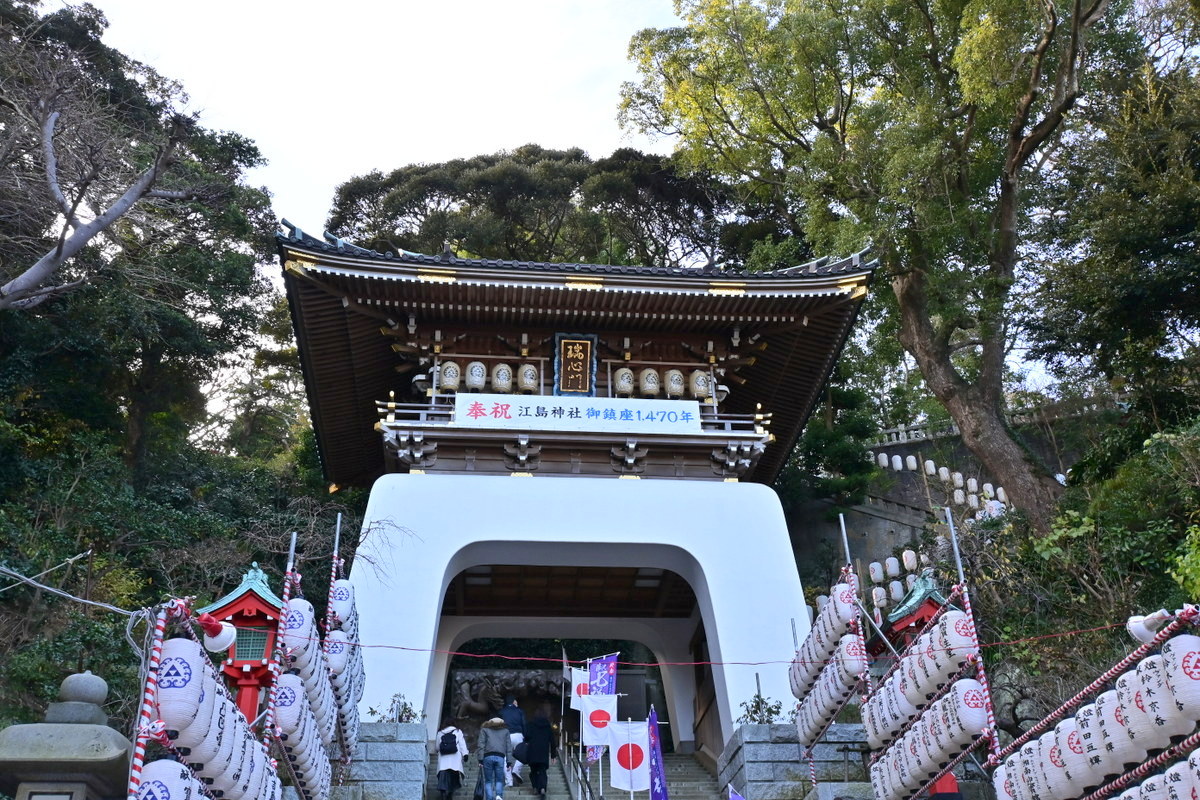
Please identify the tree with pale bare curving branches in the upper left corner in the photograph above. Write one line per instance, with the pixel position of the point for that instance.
(94, 148)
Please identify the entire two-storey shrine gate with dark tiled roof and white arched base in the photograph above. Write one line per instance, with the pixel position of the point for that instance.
(495, 408)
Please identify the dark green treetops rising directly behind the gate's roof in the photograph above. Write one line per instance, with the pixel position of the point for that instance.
(553, 206)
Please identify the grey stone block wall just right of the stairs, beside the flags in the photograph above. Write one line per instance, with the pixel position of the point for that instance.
(765, 762)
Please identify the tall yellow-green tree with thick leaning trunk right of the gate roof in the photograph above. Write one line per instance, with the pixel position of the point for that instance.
(910, 125)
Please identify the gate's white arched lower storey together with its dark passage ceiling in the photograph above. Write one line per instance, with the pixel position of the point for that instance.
(725, 543)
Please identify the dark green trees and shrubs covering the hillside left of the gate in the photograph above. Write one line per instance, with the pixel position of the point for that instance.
(109, 450)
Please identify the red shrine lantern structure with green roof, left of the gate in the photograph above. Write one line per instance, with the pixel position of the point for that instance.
(255, 611)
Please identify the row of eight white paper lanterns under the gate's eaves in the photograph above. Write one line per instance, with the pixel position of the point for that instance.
(526, 381)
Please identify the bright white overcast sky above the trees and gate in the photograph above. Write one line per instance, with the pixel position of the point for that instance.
(331, 91)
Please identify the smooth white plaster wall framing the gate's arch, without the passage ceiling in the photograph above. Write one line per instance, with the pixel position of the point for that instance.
(728, 540)
